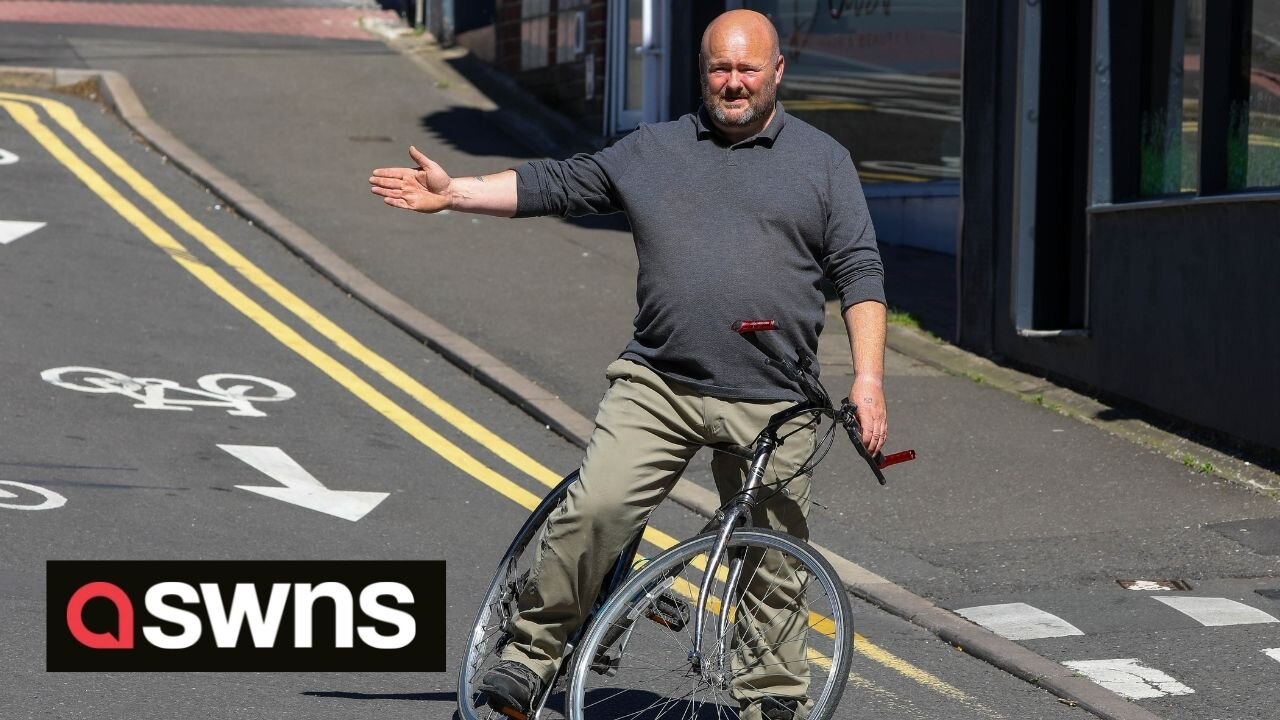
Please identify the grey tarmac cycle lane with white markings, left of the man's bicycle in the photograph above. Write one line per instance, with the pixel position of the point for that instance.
(89, 290)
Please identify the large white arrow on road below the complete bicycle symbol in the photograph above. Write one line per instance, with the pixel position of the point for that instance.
(300, 487)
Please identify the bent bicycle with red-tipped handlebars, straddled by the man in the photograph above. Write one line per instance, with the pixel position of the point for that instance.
(711, 614)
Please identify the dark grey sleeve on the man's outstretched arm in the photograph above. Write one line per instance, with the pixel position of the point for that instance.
(583, 185)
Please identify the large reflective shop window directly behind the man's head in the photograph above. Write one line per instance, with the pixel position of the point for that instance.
(880, 76)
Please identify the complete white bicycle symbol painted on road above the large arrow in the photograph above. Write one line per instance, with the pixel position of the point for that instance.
(237, 394)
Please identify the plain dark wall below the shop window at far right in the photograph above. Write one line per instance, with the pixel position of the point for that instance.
(1185, 316)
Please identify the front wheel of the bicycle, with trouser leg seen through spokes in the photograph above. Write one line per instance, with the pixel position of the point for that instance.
(778, 644)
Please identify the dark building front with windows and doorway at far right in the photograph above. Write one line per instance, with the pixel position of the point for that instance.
(1122, 202)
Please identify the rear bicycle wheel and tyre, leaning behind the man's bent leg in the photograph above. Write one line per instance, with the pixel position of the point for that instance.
(487, 634)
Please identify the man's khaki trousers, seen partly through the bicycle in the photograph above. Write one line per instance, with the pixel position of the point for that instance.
(647, 431)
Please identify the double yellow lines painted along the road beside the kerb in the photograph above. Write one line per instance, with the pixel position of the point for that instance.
(22, 108)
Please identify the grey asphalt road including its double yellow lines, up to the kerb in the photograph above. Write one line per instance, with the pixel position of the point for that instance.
(112, 284)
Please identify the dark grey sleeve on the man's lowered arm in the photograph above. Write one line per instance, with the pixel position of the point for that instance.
(852, 261)
